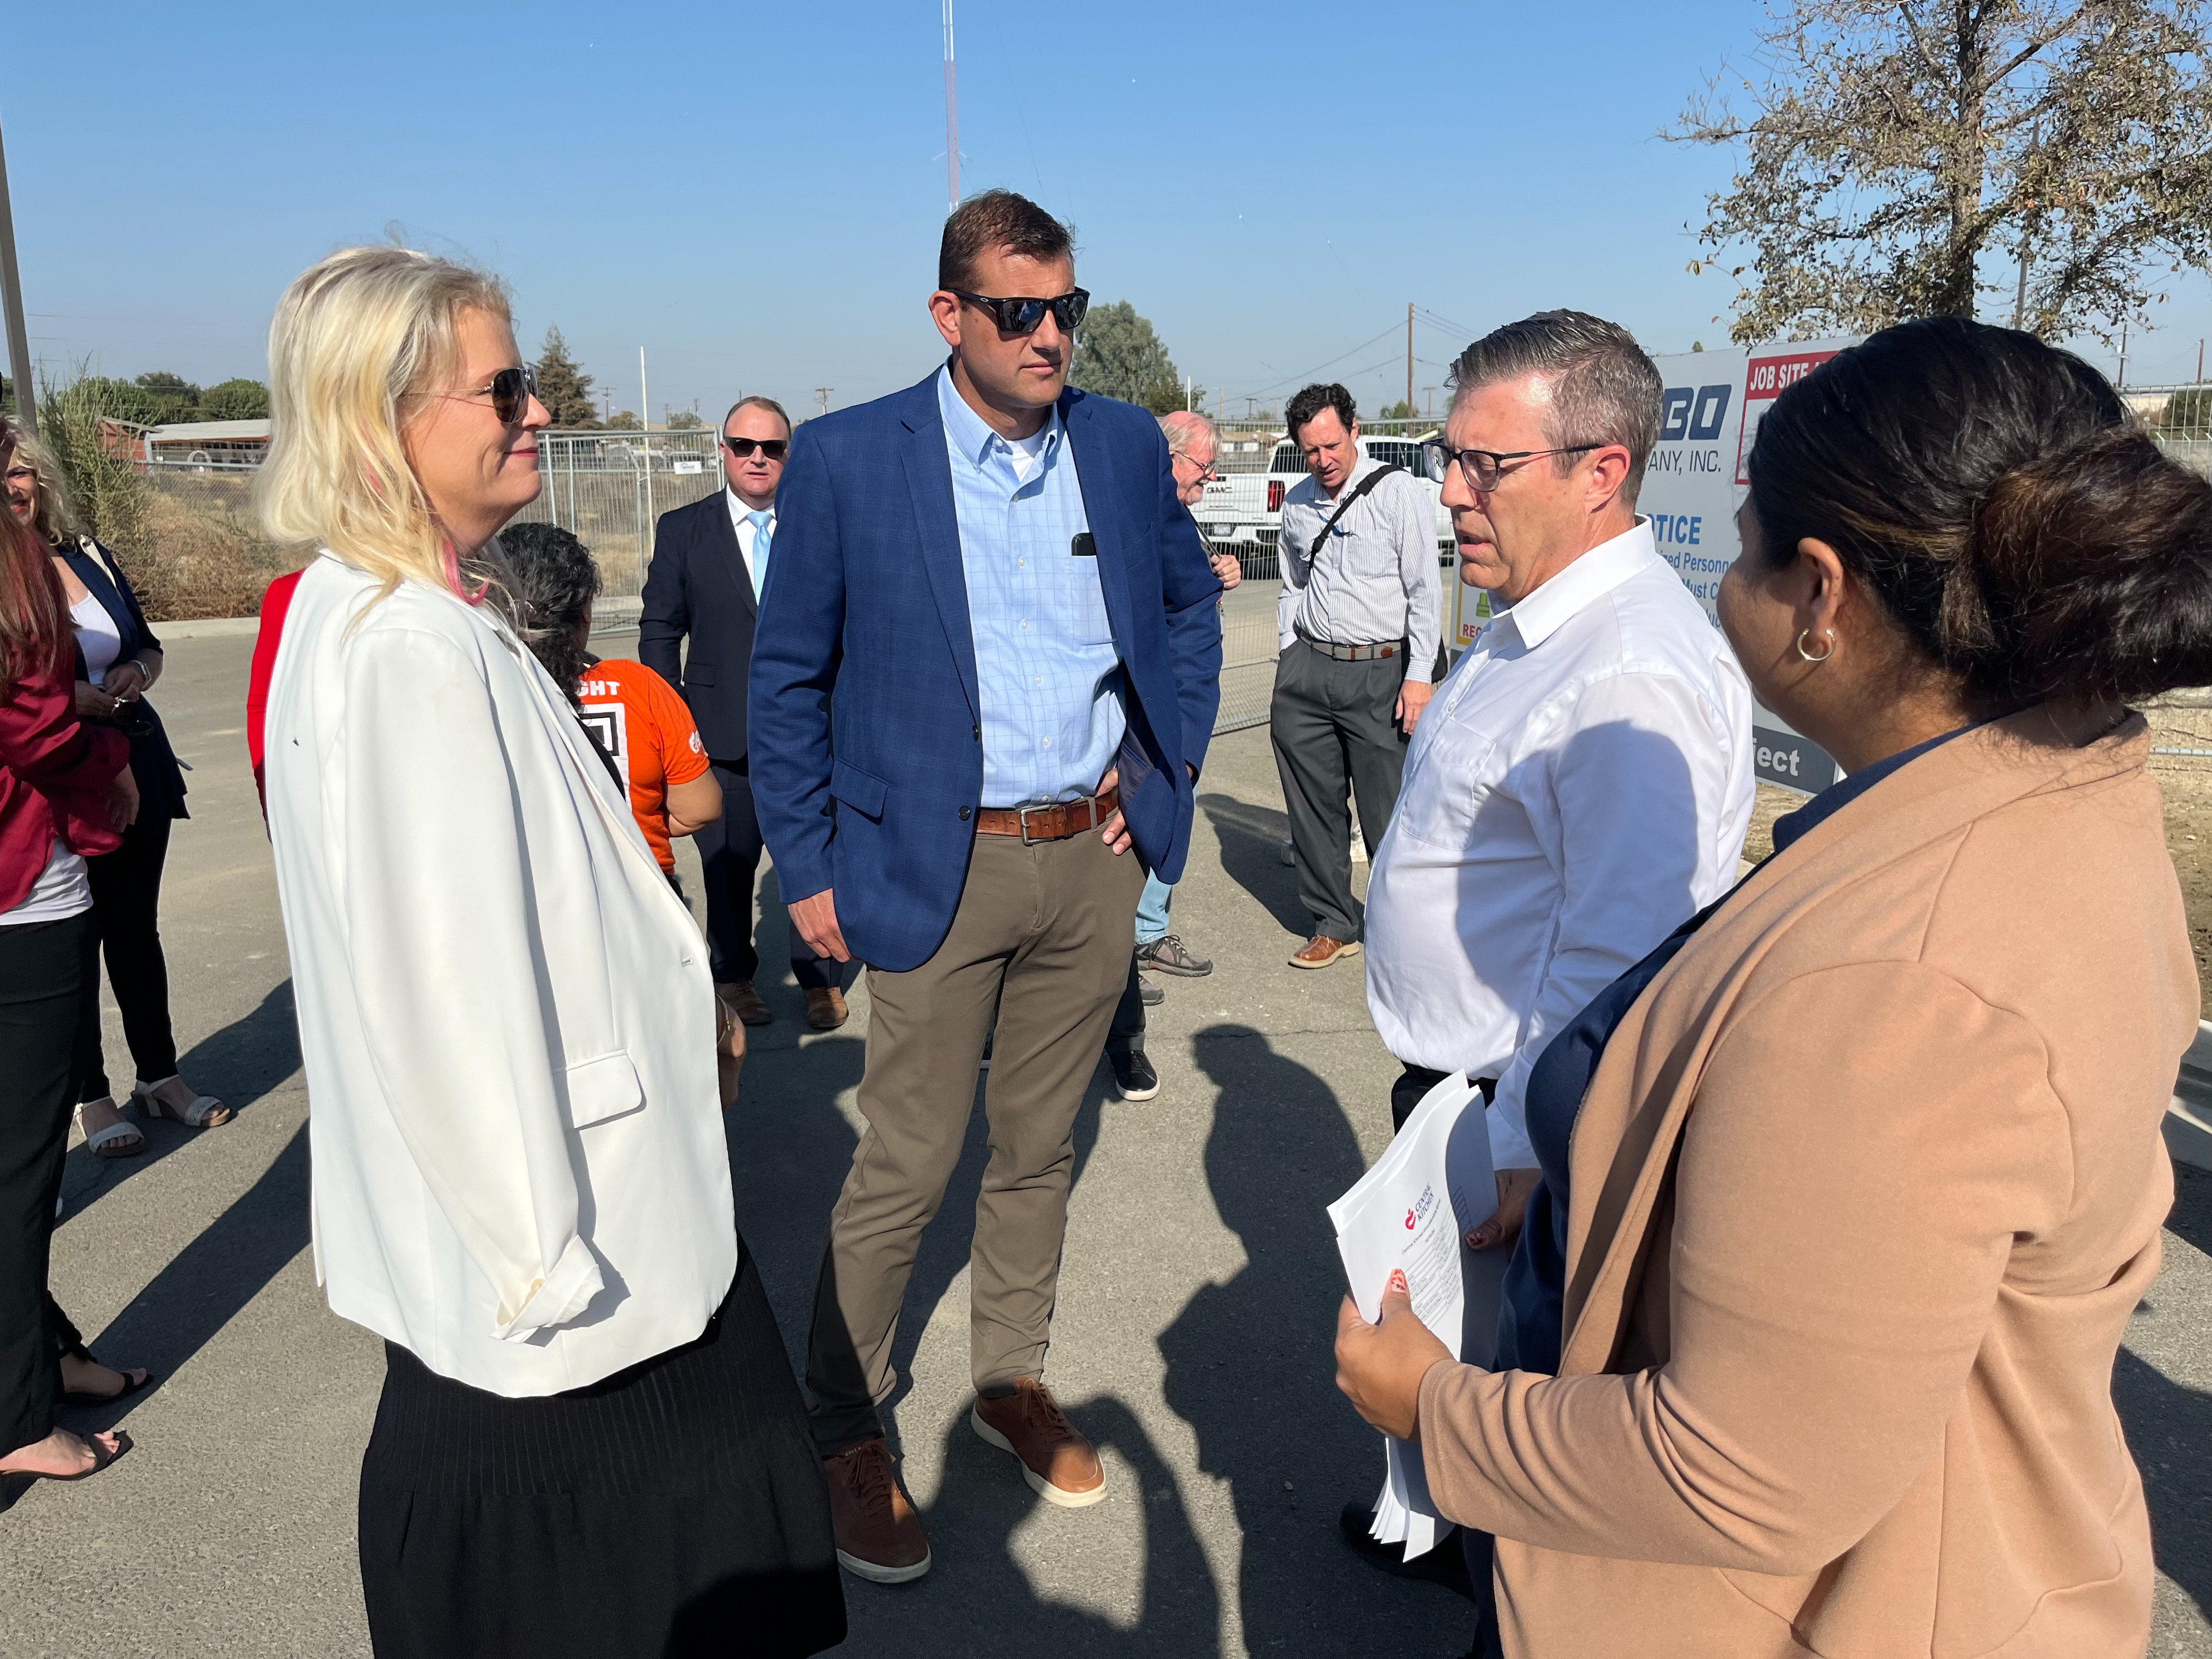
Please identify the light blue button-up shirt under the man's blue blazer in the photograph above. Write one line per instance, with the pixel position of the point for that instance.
(1045, 658)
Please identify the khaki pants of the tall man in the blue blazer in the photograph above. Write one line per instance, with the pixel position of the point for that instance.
(1041, 946)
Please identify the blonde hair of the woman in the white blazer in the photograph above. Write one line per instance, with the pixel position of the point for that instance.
(355, 342)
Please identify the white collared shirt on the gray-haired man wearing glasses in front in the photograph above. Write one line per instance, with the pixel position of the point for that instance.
(1576, 791)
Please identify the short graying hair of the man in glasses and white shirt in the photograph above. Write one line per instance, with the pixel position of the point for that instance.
(1605, 390)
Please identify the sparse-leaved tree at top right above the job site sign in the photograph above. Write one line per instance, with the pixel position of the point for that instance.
(1886, 149)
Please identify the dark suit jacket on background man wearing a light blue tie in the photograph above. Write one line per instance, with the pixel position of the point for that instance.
(698, 585)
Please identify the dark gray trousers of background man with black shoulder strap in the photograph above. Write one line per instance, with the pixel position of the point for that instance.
(1335, 733)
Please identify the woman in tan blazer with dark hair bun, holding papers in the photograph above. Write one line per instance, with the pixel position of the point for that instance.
(1868, 1176)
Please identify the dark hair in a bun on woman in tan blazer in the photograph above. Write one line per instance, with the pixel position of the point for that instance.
(2005, 510)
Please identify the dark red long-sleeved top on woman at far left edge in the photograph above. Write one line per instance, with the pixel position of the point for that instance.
(52, 775)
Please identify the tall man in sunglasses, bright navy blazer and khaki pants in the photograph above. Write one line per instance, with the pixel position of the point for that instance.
(1014, 614)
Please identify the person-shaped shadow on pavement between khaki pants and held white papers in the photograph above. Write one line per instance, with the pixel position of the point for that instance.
(1249, 1361)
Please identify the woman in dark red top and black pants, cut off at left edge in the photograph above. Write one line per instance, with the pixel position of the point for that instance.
(65, 791)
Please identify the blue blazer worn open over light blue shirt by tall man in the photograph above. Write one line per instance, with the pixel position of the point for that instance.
(868, 603)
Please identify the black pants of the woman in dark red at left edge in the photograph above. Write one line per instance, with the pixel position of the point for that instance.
(48, 972)
